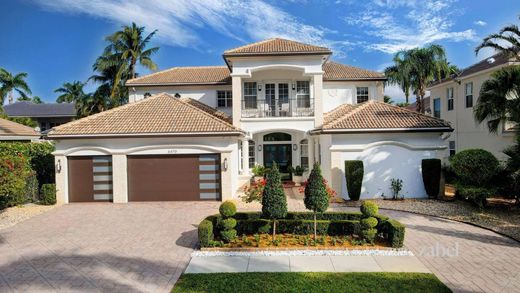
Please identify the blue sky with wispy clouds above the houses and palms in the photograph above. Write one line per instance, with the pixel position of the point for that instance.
(57, 41)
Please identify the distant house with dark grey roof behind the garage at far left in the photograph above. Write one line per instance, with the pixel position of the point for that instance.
(47, 115)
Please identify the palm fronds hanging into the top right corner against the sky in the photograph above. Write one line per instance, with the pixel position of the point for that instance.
(506, 41)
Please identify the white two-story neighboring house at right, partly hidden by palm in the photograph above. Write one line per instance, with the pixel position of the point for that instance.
(454, 98)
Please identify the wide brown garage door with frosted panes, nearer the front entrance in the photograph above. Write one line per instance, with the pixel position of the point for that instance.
(173, 177)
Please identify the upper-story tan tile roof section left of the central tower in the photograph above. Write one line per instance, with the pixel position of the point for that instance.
(185, 76)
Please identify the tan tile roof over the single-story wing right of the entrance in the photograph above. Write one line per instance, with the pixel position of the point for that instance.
(379, 116)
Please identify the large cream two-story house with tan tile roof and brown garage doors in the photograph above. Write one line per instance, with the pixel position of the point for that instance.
(194, 133)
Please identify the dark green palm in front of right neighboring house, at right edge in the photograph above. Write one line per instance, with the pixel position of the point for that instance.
(499, 98)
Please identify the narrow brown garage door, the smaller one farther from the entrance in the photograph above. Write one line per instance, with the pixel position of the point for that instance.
(90, 178)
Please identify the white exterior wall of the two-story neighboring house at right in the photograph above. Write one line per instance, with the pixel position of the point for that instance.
(467, 132)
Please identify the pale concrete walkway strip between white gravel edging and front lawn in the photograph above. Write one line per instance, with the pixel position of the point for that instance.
(237, 264)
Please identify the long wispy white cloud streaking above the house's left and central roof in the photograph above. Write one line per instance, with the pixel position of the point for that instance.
(180, 22)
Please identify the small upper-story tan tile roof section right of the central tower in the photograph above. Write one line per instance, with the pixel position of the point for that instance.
(337, 71)
